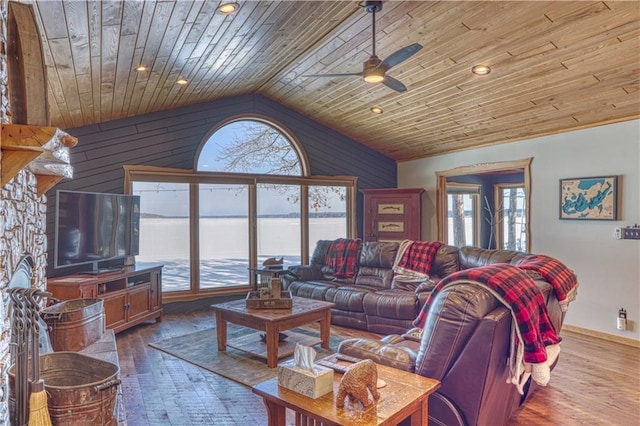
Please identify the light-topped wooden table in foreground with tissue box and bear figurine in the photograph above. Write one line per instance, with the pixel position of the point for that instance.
(404, 395)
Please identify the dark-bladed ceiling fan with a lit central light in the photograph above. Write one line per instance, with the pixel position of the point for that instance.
(375, 70)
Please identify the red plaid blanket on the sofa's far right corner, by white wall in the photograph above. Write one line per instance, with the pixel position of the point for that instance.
(561, 278)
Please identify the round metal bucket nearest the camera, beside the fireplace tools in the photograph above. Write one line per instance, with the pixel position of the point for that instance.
(81, 389)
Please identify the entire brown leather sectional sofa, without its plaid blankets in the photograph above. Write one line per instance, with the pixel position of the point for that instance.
(465, 343)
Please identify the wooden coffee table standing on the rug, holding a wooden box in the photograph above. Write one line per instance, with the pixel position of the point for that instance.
(272, 322)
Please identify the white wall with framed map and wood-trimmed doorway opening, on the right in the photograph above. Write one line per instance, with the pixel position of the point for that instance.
(608, 270)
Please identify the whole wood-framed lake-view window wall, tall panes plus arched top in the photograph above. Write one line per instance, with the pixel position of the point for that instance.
(247, 199)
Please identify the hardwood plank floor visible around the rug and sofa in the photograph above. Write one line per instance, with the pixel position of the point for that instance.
(595, 383)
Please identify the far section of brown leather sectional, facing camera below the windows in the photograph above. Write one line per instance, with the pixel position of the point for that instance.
(375, 300)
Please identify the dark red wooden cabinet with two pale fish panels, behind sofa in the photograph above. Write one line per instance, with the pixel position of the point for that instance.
(392, 214)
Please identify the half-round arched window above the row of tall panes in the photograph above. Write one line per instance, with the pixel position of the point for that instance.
(251, 146)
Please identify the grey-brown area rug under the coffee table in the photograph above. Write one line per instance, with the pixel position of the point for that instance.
(201, 348)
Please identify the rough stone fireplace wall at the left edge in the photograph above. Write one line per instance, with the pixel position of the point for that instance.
(22, 226)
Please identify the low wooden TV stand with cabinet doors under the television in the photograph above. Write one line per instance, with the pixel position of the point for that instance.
(130, 296)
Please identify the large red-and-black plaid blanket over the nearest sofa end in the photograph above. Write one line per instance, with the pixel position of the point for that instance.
(520, 294)
